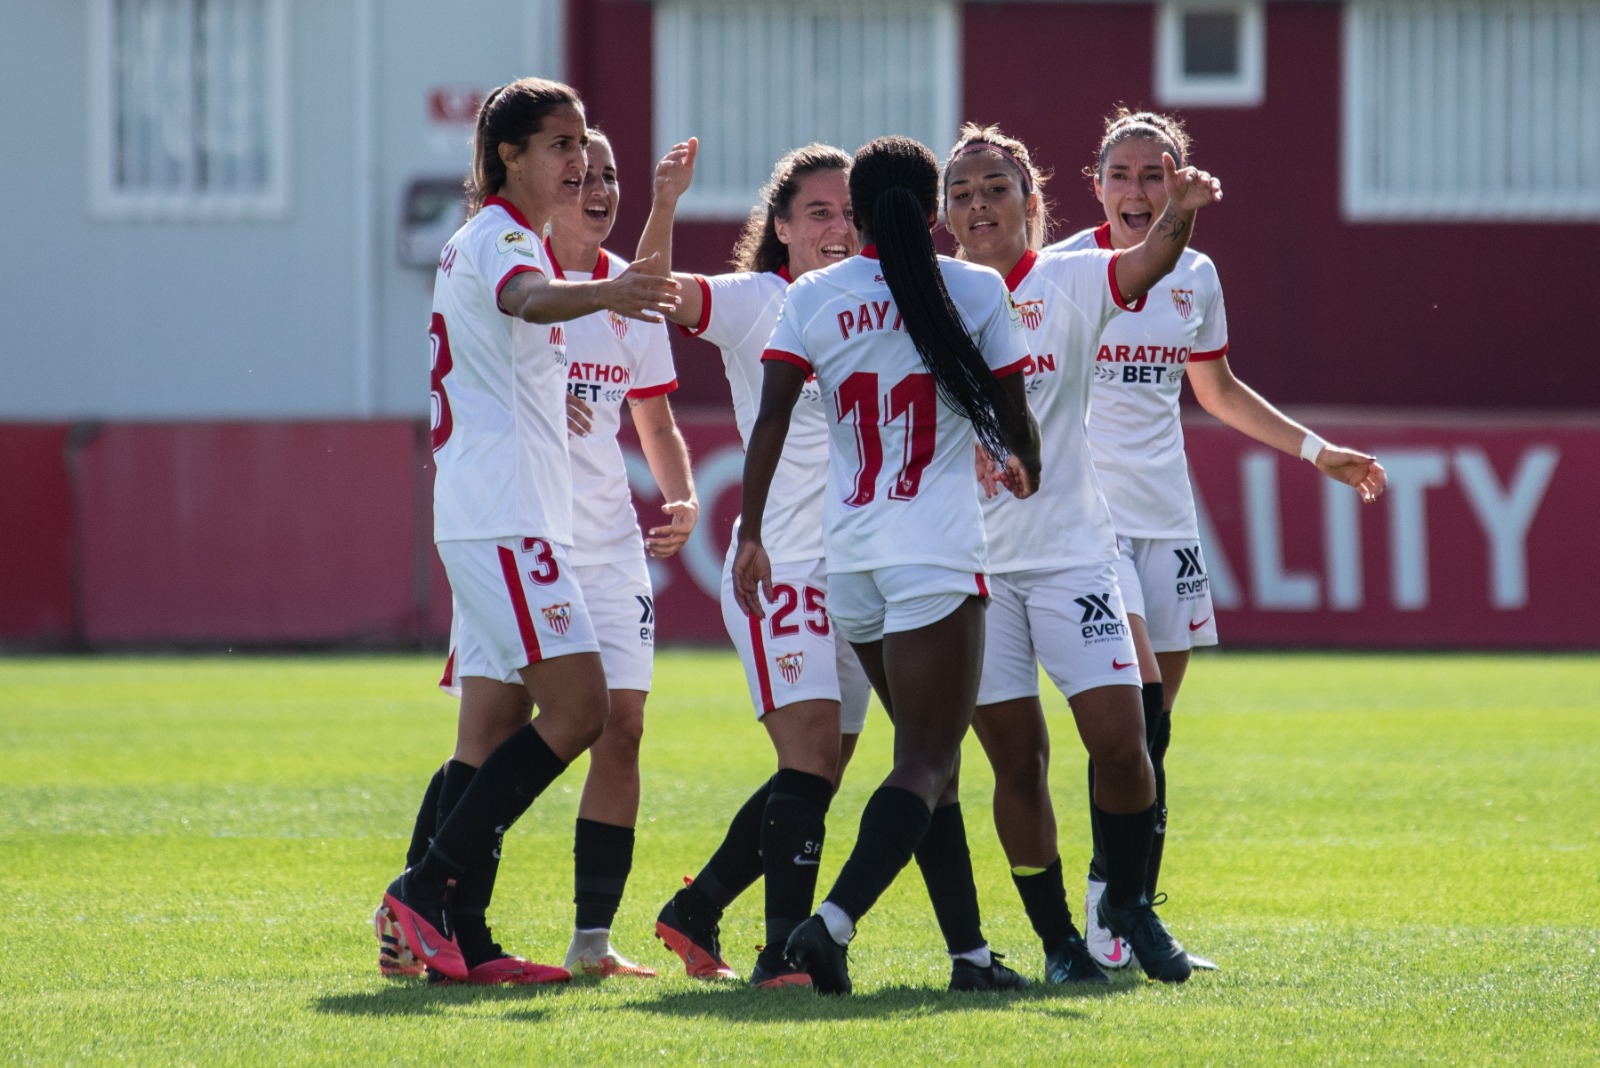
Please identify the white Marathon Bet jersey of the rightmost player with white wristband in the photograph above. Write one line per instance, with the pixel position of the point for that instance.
(1135, 432)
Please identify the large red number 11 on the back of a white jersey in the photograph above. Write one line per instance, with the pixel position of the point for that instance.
(913, 399)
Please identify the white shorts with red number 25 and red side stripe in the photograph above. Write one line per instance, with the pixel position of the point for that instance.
(793, 655)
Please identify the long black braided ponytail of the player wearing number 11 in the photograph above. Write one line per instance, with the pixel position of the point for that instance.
(895, 193)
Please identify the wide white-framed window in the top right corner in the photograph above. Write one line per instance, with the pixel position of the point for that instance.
(1473, 111)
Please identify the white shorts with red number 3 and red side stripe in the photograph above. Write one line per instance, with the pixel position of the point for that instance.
(516, 602)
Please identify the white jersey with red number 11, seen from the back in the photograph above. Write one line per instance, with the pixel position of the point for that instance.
(900, 485)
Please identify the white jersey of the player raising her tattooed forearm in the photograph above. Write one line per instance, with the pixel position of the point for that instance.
(1065, 301)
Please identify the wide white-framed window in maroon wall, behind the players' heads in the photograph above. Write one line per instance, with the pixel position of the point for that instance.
(756, 81)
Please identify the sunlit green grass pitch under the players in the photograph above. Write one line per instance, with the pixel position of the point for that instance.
(1394, 859)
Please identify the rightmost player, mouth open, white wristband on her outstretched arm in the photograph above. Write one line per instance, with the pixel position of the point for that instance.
(1138, 447)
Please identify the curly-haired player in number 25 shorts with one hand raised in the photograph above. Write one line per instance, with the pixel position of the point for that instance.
(809, 691)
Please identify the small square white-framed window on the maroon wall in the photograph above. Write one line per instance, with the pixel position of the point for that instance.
(1210, 54)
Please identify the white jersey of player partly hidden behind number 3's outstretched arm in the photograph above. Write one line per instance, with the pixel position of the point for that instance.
(609, 357)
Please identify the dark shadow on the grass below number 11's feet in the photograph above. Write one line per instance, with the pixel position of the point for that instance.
(745, 1005)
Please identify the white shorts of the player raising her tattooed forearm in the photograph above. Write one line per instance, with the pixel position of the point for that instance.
(1068, 620)
